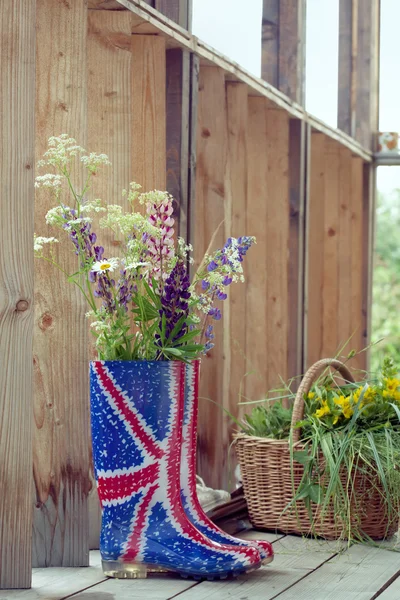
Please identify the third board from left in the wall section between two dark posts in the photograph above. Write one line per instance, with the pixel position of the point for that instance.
(257, 267)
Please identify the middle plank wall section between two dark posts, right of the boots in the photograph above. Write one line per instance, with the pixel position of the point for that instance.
(242, 189)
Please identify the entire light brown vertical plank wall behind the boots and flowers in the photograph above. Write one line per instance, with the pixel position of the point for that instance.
(233, 160)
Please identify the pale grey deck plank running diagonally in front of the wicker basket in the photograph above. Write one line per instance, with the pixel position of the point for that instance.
(358, 574)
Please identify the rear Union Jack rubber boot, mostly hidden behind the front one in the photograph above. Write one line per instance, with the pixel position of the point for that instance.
(190, 501)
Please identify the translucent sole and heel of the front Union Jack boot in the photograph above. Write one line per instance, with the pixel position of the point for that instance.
(124, 570)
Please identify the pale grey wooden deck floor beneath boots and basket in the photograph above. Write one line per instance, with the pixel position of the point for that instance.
(302, 570)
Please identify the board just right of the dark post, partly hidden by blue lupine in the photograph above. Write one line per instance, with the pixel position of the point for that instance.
(209, 214)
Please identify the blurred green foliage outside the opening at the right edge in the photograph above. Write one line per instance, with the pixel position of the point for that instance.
(386, 280)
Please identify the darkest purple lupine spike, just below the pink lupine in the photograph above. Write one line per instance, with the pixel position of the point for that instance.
(174, 300)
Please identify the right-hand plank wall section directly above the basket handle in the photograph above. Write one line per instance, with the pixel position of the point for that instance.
(337, 240)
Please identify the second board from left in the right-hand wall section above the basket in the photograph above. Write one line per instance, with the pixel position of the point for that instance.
(330, 279)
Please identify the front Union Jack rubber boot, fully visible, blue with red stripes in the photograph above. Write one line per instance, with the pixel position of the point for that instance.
(136, 418)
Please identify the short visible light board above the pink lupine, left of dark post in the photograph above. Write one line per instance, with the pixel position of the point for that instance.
(148, 112)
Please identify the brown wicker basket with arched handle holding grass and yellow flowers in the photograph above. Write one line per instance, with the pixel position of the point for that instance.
(266, 469)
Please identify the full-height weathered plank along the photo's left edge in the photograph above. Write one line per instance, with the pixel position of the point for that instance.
(17, 143)
